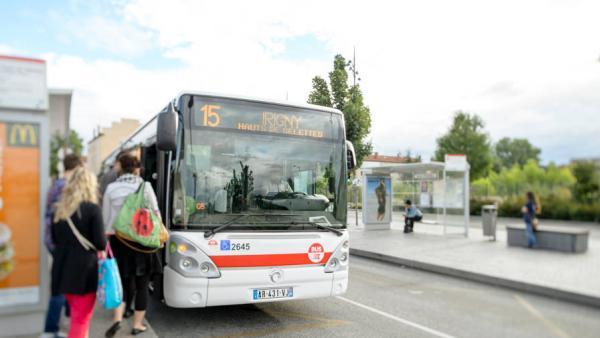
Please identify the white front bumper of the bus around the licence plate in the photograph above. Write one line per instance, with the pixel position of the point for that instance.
(237, 285)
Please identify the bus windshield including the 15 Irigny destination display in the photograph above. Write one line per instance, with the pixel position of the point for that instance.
(258, 165)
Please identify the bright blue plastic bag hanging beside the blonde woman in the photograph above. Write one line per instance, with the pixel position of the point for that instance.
(110, 289)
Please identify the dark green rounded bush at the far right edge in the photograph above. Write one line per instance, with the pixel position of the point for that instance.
(587, 185)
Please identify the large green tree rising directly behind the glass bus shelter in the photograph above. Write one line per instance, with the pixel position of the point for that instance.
(466, 136)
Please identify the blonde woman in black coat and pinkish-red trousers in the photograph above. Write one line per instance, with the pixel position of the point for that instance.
(78, 234)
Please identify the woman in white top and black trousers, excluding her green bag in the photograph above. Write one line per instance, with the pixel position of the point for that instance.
(136, 263)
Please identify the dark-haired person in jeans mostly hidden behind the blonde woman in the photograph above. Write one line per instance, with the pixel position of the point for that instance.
(57, 302)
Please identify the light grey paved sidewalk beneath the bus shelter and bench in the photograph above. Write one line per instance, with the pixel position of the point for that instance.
(572, 277)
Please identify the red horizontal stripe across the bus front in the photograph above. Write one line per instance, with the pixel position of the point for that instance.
(265, 260)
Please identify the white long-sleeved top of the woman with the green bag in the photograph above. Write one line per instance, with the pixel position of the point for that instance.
(115, 196)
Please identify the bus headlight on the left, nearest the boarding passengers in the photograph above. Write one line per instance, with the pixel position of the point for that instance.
(190, 261)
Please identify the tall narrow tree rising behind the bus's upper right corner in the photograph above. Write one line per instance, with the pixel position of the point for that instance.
(350, 101)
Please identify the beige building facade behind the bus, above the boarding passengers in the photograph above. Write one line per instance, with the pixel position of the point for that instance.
(107, 139)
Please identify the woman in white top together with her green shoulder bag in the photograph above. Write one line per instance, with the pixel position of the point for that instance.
(135, 231)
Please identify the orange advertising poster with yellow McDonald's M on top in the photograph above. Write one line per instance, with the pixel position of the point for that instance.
(19, 213)
